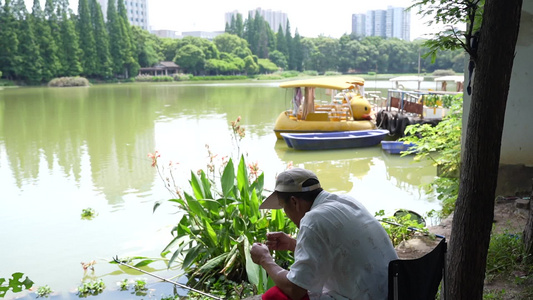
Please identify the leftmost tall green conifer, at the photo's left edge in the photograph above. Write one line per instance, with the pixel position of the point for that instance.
(9, 58)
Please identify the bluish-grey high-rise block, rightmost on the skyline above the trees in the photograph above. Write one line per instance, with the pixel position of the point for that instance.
(393, 22)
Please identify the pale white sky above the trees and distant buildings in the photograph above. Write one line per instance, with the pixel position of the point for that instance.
(330, 18)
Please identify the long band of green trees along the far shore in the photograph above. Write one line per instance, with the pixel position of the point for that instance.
(55, 42)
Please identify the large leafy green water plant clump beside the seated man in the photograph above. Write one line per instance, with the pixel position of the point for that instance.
(222, 219)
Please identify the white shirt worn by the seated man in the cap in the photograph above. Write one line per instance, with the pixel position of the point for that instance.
(342, 251)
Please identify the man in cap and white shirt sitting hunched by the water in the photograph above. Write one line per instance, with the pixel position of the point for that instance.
(341, 251)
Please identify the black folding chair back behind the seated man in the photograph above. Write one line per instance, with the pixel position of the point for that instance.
(418, 279)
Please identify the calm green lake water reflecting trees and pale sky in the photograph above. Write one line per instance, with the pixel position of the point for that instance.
(66, 149)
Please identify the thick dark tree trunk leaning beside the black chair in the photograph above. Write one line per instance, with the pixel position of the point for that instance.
(474, 211)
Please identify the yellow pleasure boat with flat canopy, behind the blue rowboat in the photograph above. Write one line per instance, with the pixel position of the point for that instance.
(347, 110)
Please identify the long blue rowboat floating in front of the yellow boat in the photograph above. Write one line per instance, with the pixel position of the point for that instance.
(334, 140)
